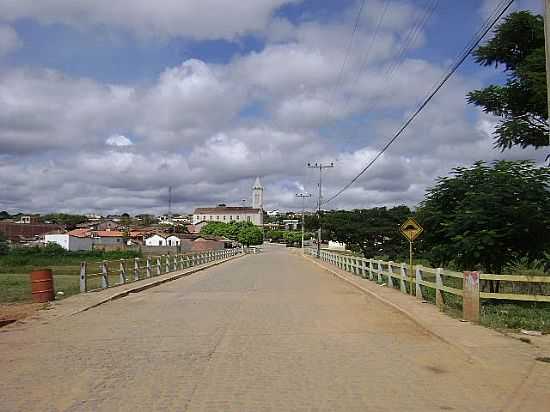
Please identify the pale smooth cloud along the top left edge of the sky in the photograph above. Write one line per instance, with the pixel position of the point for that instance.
(199, 19)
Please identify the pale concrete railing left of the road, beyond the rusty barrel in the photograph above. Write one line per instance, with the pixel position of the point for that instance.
(106, 274)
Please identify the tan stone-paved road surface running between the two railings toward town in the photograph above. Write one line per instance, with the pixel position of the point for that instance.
(267, 332)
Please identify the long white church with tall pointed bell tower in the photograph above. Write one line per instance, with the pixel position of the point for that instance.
(227, 214)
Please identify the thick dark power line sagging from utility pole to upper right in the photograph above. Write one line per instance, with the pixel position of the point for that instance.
(490, 22)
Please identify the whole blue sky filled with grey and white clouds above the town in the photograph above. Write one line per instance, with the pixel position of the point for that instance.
(104, 104)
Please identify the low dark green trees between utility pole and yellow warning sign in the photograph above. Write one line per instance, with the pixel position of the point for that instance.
(373, 232)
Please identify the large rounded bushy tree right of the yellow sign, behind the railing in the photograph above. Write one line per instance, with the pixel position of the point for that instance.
(486, 216)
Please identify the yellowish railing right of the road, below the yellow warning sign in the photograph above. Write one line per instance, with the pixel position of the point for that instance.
(438, 283)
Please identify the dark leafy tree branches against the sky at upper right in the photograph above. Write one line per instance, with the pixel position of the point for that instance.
(518, 46)
